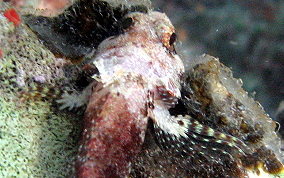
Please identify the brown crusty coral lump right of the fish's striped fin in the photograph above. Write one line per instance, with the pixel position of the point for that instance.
(228, 108)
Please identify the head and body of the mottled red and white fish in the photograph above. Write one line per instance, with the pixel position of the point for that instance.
(139, 74)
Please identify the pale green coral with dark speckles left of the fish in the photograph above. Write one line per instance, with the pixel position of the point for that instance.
(35, 141)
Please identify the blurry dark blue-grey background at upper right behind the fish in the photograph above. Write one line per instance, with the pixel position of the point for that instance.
(247, 35)
